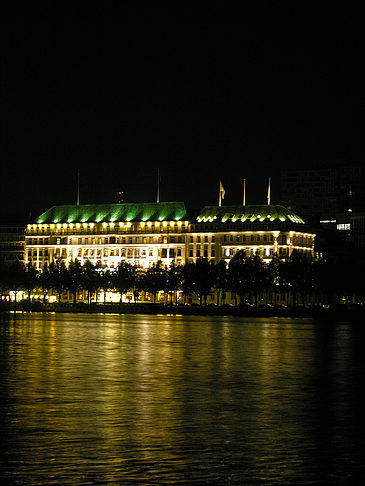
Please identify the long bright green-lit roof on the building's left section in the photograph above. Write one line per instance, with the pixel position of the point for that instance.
(165, 211)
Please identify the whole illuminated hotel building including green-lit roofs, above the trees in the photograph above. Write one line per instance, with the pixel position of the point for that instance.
(144, 233)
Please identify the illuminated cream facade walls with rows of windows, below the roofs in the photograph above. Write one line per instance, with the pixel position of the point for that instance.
(143, 244)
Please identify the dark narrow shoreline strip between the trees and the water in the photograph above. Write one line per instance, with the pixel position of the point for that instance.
(334, 314)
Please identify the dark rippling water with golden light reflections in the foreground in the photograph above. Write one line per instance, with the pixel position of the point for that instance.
(134, 399)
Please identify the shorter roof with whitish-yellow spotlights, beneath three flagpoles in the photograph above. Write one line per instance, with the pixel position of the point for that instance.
(248, 214)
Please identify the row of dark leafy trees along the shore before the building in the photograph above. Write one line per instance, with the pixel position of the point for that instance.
(245, 282)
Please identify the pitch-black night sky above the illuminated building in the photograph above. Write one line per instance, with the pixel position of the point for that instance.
(116, 96)
